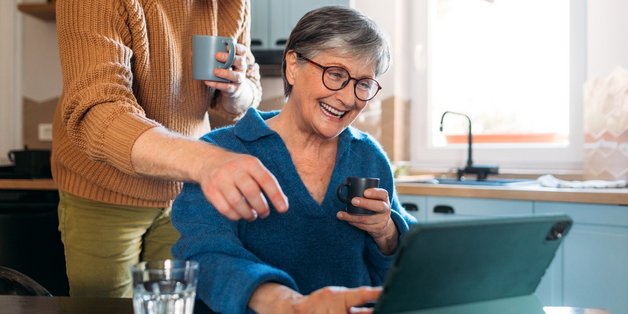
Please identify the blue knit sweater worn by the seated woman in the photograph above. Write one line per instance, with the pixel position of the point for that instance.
(306, 248)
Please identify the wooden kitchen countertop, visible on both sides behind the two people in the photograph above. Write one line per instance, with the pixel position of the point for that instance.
(527, 192)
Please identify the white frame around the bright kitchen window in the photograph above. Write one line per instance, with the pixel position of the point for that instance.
(507, 156)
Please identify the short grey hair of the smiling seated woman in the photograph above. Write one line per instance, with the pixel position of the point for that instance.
(344, 30)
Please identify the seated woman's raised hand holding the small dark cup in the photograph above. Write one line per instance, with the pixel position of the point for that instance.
(379, 225)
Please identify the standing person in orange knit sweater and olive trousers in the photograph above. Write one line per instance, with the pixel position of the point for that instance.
(126, 128)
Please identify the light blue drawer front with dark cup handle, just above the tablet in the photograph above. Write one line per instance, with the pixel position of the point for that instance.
(460, 207)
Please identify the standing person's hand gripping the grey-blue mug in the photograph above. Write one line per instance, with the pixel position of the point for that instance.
(237, 95)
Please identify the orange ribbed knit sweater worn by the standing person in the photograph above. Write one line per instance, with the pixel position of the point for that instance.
(127, 67)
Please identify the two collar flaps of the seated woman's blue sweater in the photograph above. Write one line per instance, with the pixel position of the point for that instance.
(253, 127)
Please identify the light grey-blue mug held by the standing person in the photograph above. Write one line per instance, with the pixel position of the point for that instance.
(204, 49)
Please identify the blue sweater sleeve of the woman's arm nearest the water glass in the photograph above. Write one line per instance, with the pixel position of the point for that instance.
(229, 273)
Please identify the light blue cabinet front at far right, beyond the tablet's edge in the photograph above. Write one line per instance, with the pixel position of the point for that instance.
(595, 255)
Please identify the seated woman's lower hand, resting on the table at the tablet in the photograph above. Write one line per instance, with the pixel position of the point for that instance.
(277, 299)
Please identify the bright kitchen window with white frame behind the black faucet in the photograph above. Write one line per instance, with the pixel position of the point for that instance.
(515, 67)
